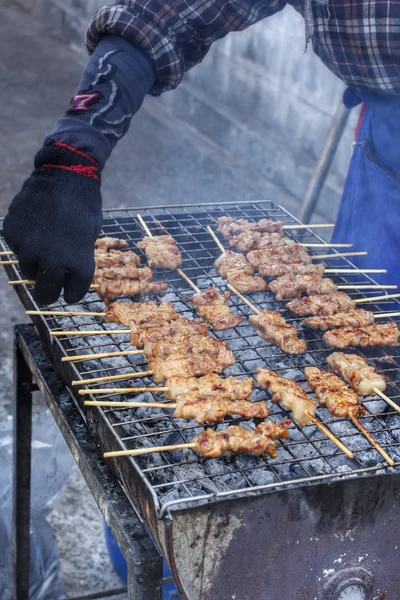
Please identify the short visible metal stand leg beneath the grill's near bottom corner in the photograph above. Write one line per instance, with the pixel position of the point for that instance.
(145, 580)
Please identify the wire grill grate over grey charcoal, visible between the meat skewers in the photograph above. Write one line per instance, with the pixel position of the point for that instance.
(181, 476)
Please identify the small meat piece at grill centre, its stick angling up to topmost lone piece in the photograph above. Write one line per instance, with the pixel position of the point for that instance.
(213, 307)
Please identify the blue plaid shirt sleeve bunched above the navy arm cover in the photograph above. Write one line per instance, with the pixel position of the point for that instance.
(176, 34)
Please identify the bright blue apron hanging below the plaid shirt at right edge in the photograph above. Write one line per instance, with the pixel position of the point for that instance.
(369, 212)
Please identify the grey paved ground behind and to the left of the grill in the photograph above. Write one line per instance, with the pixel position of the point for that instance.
(38, 75)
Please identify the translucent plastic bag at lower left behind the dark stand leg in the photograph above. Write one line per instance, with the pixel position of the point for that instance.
(51, 466)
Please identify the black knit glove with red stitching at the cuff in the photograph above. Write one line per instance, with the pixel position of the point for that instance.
(54, 221)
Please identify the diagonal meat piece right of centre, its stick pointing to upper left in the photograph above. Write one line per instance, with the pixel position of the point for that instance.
(272, 327)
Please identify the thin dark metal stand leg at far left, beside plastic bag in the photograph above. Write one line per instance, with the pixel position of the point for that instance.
(22, 425)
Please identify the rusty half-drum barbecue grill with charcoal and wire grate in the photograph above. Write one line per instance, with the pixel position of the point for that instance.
(310, 524)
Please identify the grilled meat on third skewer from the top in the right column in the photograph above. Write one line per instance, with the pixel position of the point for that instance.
(272, 257)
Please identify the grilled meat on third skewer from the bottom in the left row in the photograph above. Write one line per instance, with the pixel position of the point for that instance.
(209, 386)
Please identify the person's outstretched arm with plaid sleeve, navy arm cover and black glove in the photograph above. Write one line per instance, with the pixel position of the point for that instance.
(137, 47)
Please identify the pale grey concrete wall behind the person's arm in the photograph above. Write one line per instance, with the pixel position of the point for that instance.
(264, 101)
